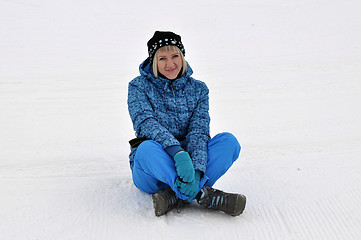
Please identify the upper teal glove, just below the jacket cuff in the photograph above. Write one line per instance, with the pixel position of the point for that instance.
(184, 166)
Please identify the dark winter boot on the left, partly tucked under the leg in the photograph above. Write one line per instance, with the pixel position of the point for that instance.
(165, 200)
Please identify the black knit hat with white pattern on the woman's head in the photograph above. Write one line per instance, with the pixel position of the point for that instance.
(161, 39)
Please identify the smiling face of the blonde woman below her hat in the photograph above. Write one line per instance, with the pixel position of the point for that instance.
(169, 63)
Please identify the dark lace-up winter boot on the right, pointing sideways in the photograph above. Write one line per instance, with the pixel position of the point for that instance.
(230, 203)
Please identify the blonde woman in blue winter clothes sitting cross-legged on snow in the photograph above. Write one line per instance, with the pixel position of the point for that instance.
(173, 156)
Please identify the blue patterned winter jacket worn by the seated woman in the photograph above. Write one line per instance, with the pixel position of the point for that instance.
(174, 113)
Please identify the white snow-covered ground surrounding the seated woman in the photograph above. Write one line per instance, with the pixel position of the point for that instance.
(284, 77)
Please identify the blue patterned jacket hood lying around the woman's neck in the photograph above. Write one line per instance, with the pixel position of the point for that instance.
(146, 71)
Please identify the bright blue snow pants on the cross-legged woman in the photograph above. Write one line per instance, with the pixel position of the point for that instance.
(154, 169)
